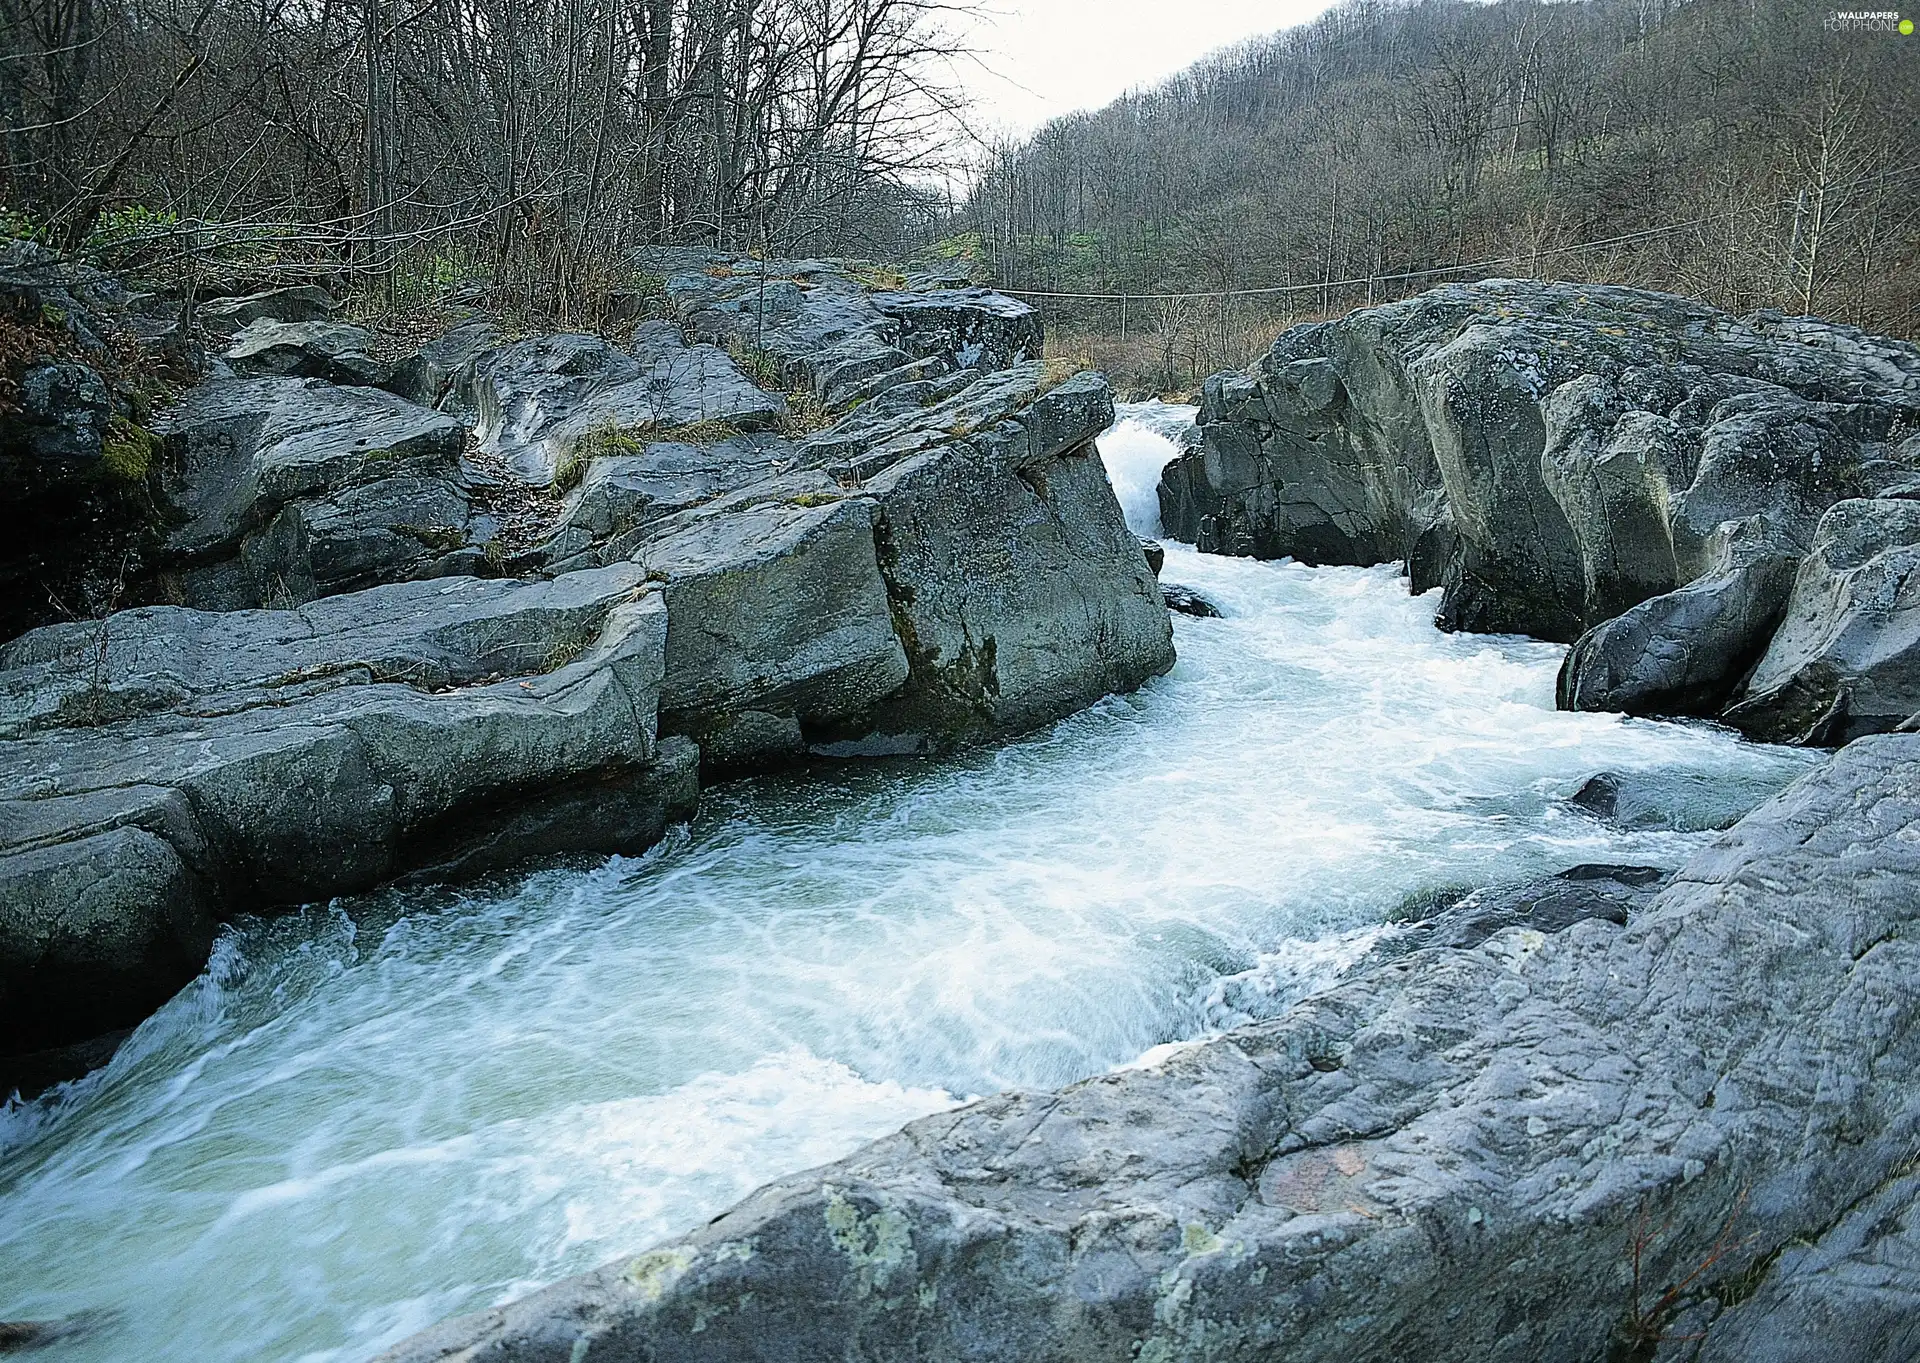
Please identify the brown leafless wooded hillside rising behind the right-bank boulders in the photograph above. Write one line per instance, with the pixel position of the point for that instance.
(1739, 151)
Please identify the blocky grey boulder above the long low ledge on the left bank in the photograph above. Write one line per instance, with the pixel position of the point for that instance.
(299, 489)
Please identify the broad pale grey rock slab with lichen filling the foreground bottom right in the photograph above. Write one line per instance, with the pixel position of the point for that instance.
(1497, 1132)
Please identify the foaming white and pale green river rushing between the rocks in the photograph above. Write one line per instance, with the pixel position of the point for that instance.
(372, 1116)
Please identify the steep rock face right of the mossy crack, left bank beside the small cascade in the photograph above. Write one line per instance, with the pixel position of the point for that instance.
(1017, 586)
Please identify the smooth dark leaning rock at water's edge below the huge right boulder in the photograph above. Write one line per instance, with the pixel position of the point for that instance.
(1689, 652)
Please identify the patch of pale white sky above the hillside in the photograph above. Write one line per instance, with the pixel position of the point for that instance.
(1053, 57)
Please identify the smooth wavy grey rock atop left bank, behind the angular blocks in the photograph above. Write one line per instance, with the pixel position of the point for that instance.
(552, 404)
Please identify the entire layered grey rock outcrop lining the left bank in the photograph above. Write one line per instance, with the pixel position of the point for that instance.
(354, 692)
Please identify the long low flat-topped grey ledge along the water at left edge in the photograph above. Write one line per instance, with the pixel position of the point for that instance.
(174, 767)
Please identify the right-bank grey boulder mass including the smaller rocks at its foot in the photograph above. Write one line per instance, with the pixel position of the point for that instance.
(1631, 471)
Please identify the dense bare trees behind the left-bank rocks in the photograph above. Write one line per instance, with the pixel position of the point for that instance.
(416, 143)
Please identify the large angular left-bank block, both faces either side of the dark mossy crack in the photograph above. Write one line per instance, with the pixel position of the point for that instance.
(898, 585)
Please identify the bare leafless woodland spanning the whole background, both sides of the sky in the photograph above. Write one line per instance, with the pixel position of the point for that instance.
(1739, 151)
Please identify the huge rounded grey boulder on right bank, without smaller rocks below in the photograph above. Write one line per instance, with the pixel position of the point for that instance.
(1550, 456)
